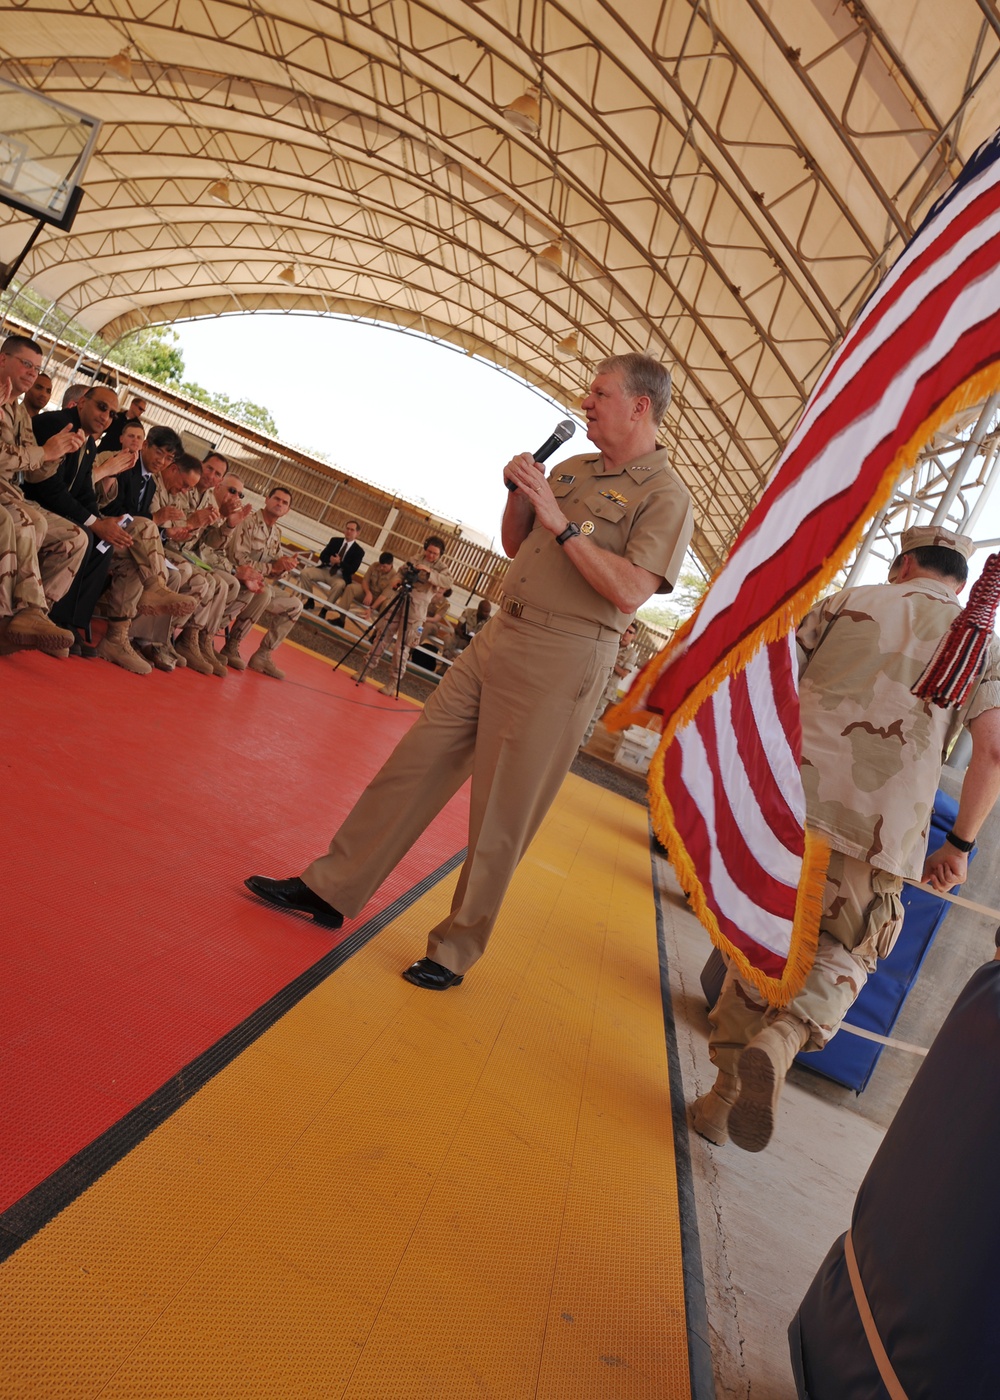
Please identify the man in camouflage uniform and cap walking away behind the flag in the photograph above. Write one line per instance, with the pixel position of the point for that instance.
(872, 761)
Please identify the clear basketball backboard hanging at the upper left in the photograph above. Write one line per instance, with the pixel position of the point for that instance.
(44, 153)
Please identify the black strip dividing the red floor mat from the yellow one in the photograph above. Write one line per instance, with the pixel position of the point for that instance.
(26, 1217)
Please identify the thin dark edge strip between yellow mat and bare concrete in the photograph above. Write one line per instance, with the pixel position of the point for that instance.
(700, 1342)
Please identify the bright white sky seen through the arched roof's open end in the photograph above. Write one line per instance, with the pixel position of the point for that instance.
(411, 415)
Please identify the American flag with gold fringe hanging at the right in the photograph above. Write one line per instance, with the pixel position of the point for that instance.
(725, 789)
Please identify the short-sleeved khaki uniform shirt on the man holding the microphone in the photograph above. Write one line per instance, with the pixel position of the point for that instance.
(648, 520)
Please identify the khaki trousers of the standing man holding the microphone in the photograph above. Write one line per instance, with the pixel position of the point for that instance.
(509, 715)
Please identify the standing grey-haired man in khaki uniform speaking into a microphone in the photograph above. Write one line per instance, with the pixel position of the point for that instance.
(588, 547)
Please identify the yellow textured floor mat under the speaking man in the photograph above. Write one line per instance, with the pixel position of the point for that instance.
(401, 1193)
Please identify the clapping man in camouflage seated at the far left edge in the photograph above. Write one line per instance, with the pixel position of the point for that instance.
(50, 551)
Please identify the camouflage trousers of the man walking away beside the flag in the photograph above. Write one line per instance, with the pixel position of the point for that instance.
(862, 919)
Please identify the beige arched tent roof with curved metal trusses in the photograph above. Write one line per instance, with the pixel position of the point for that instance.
(719, 184)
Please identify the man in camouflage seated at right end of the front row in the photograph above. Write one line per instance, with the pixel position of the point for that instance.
(256, 548)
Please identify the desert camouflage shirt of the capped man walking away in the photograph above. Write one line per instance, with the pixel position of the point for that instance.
(872, 751)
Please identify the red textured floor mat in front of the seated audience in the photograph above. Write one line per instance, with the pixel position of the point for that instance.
(135, 808)
